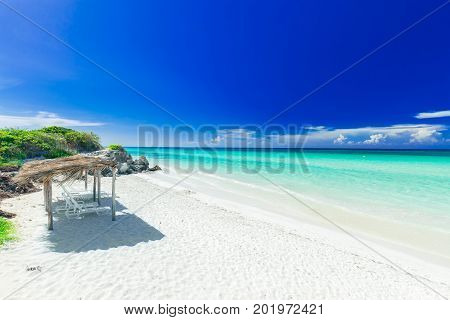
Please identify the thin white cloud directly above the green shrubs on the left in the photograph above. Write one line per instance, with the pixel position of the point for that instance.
(43, 119)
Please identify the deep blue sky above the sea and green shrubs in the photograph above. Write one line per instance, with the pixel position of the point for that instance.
(234, 63)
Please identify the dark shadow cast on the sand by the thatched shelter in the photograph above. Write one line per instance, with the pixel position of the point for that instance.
(98, 232)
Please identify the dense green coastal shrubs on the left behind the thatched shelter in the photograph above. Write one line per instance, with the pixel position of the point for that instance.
(17, 145)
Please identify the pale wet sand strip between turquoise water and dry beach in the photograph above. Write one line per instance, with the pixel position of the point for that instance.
(418, 241)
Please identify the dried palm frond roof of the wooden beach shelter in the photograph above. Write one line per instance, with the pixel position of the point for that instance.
(63, 169)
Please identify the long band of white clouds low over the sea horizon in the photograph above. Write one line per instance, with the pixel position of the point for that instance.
(400, 135)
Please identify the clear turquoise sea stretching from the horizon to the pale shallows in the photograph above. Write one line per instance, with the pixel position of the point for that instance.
(403, 186)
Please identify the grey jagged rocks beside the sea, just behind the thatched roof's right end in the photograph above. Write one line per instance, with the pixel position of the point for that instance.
(126, 163)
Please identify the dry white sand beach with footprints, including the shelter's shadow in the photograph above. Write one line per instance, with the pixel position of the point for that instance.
(182, 244)
